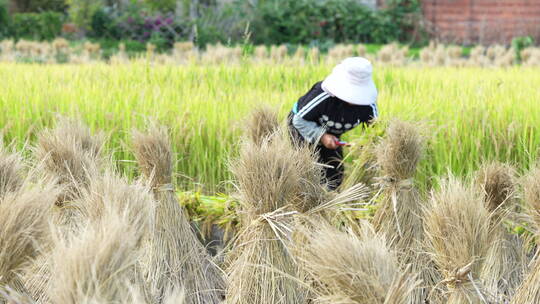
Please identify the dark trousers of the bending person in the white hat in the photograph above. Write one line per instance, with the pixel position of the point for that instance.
(332, 159)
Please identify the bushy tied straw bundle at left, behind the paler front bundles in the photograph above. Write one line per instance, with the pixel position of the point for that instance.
(70, 157)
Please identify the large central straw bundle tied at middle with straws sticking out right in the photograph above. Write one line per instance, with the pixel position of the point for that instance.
(270, 185)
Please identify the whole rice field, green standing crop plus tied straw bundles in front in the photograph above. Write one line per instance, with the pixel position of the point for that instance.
(441, 204)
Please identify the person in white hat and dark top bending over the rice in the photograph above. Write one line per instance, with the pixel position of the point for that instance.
(345, 99)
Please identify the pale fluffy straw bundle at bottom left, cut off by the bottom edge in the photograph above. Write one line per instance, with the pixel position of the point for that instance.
(96, 264)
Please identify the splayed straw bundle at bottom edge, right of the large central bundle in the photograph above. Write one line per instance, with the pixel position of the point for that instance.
(355, 269)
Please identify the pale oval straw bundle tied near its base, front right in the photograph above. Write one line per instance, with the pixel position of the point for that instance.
(457, 226)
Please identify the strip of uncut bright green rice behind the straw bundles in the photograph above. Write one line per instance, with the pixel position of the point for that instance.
(472, 114)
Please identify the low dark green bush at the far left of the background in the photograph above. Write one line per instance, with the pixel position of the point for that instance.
(37, 26)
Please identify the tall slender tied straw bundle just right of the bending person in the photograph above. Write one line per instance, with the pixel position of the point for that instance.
(399, 214)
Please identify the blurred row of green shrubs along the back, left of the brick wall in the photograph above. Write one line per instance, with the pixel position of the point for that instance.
(320, 23)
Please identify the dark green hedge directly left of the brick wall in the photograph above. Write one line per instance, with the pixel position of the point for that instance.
(305, 21)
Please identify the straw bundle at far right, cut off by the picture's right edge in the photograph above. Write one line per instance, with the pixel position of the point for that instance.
(529, 291)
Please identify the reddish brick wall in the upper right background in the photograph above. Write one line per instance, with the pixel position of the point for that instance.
(482, 21)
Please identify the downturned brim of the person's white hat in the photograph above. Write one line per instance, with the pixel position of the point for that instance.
(339, 85)
